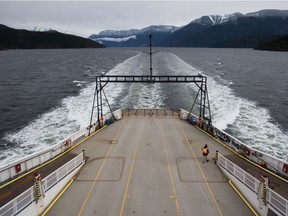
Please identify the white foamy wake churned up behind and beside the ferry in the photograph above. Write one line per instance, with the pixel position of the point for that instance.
(240, 117)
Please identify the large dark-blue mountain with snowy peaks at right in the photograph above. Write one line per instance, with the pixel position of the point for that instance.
(233, 30)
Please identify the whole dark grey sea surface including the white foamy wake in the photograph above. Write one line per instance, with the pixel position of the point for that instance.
(46, 95)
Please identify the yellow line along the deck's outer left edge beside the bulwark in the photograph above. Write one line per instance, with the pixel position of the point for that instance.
(50, 161)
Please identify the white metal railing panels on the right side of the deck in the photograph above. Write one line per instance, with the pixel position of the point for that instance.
(275, 200)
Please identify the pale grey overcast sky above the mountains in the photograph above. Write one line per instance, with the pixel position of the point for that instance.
(84, 18)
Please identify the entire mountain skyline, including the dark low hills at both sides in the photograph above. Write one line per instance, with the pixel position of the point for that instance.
(265, 28)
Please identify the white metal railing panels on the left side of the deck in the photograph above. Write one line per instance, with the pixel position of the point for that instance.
(19, 203)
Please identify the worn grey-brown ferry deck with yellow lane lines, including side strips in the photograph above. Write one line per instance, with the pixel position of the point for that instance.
(148, 165)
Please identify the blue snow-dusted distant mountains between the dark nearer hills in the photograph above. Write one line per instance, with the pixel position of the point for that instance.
(233, 30)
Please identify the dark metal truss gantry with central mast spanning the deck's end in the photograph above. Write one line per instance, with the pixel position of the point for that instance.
(202, 99)
